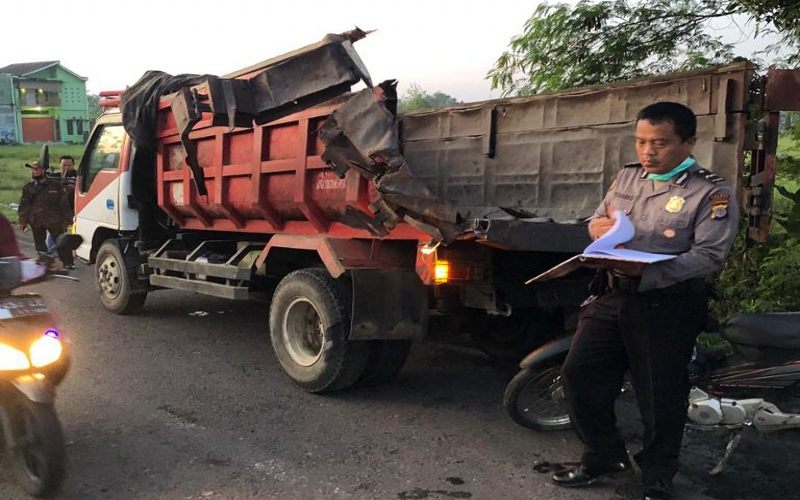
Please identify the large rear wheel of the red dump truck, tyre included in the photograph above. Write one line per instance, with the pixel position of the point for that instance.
(309, 322)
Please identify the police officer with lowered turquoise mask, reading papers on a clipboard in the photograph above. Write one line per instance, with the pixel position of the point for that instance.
(648, 318)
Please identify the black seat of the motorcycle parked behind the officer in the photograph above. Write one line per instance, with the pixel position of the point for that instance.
(776, 330)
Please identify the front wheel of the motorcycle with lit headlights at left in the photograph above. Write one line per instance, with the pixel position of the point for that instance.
(37, 454)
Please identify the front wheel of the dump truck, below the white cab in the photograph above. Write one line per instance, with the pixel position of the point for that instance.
(117, 291)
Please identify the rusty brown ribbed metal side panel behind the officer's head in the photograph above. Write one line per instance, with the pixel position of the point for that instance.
(555, 155)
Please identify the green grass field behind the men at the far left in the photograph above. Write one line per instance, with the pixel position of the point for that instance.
(14, 175)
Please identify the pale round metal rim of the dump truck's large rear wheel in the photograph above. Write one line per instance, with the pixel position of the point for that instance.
(303, 332)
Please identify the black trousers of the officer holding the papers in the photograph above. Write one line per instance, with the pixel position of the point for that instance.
(652, 334)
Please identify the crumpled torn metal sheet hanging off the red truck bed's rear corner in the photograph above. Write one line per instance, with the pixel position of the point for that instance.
(362, 134)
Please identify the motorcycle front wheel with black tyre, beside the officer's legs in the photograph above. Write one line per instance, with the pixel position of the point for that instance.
(535, 399)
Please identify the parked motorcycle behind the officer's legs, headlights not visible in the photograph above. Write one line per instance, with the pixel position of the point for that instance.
(765, 359)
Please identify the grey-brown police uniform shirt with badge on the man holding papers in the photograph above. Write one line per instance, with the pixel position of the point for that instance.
(694, 215)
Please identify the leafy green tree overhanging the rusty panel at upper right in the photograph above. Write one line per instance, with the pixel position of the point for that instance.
(607, 40)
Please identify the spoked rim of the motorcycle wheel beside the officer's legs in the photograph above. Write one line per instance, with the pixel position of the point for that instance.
(543, 401)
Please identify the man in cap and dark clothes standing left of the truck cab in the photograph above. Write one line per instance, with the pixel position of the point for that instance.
(44, 207)
